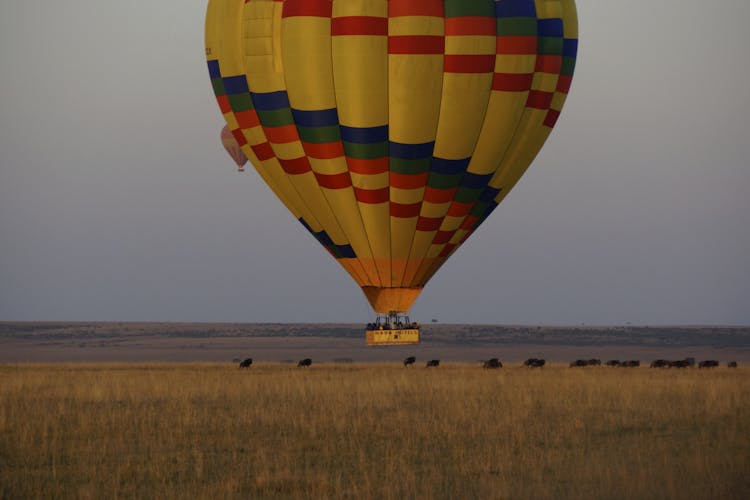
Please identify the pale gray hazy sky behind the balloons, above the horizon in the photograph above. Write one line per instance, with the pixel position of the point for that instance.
(117, 201)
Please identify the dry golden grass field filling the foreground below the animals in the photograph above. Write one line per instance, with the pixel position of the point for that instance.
(372, 431)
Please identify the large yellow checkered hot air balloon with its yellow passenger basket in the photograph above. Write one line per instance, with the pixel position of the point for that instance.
(391, 129)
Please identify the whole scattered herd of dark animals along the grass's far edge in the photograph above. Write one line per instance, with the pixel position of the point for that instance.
(493, 363)
